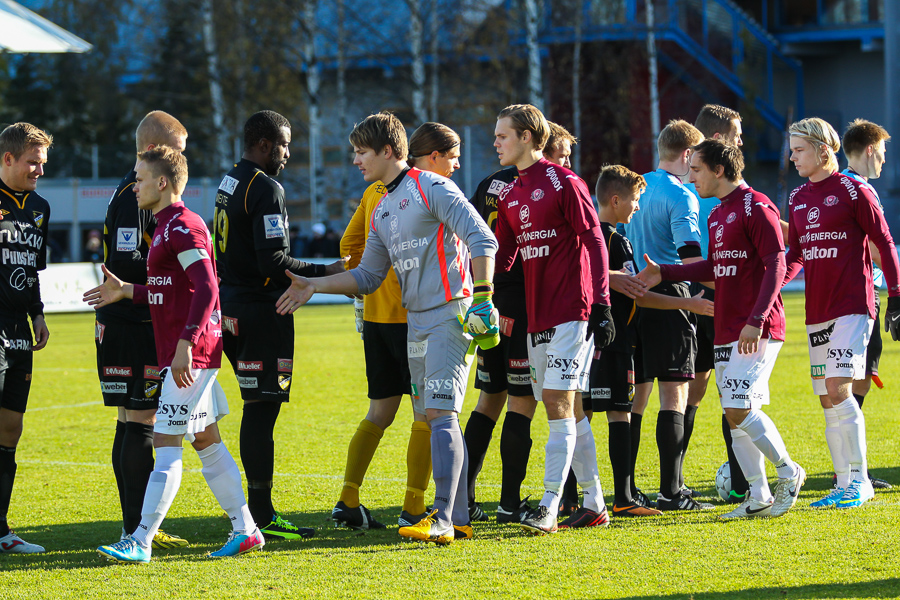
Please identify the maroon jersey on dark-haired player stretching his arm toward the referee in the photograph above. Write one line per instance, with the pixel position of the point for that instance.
(746, 259)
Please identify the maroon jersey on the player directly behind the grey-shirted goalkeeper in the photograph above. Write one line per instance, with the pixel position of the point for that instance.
(548, 217)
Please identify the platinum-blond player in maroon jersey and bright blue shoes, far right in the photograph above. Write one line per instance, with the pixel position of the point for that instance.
(832, 219)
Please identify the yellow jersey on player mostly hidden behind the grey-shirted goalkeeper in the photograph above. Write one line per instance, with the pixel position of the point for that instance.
(383, 305)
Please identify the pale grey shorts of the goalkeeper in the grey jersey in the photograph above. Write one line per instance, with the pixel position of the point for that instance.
(437, 348)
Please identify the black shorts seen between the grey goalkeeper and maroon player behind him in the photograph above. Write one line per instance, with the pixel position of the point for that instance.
(505, 367)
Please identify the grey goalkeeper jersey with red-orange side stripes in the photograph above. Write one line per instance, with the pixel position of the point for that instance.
(425, 228)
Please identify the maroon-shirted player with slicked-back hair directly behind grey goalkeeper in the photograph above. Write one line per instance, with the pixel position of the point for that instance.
(547, 217)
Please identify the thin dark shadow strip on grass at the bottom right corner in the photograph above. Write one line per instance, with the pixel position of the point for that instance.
(880, 588)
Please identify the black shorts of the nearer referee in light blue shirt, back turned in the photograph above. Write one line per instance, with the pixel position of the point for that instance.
(668, 338)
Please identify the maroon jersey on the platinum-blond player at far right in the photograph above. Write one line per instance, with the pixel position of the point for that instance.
(831, 222)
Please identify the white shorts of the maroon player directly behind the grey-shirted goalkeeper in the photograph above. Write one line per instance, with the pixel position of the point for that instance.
(560, 358)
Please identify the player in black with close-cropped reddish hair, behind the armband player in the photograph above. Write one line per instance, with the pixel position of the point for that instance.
(123, 334)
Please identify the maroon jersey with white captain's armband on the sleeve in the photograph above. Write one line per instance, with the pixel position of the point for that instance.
(181, 289)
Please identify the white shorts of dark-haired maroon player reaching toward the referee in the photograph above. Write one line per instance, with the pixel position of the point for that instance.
(743, 379)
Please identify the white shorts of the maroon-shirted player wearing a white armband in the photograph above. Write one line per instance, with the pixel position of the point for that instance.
(190, 410)
